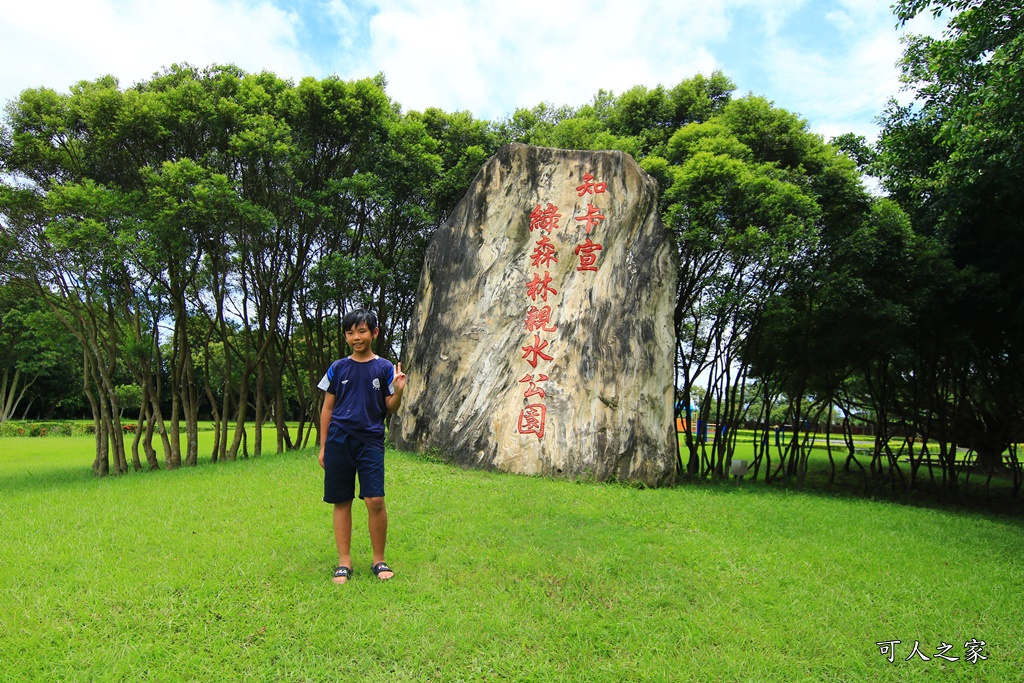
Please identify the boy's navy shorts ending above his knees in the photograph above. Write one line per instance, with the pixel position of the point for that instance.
(345, 457)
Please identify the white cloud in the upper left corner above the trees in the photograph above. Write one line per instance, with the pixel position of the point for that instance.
(56, 44)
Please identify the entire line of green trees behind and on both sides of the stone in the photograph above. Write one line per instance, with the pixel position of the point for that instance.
(202, 231)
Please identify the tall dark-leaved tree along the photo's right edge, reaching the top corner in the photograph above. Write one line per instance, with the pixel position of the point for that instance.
(953, 160)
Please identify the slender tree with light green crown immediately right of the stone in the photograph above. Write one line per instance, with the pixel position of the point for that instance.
(746, 195)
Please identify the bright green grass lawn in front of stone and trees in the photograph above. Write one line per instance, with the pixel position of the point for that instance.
(222, 573)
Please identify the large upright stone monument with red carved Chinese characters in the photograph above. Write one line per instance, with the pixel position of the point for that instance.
(542, 340)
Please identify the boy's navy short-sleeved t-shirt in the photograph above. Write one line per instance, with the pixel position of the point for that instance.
(360, 390)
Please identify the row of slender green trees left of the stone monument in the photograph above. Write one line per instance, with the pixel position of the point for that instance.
(203, 230)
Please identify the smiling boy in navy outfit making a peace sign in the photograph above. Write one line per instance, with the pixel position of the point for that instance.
(361, 391)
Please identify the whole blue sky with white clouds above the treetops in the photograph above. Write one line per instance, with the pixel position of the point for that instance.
(833, 62)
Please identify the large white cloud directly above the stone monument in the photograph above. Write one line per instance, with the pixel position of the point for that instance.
(493, 58)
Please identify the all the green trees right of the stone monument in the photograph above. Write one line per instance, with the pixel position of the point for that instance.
(908, 310)
